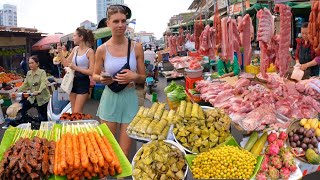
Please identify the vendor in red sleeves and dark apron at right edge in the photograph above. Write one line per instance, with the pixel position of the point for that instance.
(305, 53)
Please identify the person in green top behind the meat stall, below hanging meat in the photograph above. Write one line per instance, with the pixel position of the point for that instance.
(227, 67)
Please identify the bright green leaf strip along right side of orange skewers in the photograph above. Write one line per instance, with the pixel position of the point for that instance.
(124, 162)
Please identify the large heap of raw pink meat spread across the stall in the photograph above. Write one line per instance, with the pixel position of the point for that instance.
(247, 102)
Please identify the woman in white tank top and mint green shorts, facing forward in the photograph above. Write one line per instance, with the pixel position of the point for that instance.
(119, 108)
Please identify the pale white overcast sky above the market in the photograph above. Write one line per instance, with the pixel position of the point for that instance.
(50, 16)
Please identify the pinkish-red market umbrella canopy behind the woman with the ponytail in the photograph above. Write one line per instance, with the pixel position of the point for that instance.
(44, 43)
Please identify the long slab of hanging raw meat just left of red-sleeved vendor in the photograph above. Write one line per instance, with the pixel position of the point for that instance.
(282, 63)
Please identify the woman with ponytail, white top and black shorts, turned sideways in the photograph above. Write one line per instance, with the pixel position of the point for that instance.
(81, 60)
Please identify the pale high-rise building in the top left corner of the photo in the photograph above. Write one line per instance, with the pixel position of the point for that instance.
(8, 15)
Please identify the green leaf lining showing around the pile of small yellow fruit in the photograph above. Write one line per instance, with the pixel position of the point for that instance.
(232, 142)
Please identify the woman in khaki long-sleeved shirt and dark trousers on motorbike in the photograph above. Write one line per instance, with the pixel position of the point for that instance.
(35, 81)
